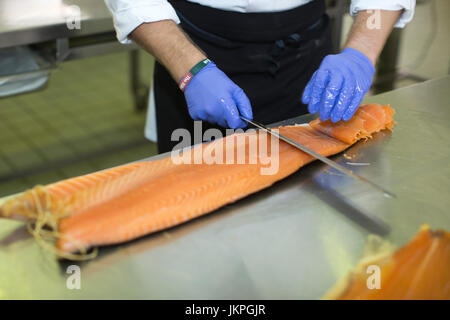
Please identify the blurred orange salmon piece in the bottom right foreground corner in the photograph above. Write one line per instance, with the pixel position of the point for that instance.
(420, 270)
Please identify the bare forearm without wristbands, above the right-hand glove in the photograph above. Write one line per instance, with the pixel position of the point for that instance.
(370, 32)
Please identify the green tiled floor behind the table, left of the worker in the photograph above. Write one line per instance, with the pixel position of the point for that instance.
(83, 121)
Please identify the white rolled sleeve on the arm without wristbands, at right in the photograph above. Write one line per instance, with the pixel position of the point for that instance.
(392, 5)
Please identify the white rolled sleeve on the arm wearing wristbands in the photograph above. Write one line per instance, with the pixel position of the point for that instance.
(130, 14)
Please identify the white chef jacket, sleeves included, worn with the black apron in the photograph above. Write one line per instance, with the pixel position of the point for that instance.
(129, 14)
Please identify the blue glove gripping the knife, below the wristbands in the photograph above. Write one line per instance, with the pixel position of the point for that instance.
(213, 97)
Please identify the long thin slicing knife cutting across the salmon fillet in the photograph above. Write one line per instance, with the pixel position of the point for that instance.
(329, 162)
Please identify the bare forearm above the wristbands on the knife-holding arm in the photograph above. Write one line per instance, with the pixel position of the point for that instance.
(169, 45)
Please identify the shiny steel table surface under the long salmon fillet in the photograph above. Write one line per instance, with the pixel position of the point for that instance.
(293, 240)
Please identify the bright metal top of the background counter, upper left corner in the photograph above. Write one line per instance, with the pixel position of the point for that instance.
(31, 21)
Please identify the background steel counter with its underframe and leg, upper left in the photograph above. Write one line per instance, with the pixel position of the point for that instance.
(48, 26)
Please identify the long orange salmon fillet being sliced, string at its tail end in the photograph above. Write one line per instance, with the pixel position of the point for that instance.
(133, 200)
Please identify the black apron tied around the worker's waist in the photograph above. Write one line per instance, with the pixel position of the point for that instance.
(271, 56)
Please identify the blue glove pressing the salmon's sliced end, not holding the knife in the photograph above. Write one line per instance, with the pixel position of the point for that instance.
(337, 88)
